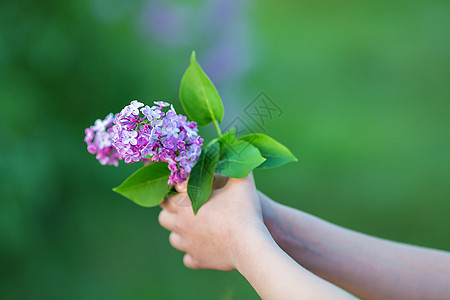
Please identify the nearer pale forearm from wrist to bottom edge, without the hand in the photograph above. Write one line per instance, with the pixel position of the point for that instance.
(275, 275)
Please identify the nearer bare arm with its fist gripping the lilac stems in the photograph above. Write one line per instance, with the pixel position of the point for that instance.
(228, 233)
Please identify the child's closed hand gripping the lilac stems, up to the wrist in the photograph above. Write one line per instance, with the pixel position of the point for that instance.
(212, 238)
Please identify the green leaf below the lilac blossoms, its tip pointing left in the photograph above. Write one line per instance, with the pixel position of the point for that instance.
(147, 186)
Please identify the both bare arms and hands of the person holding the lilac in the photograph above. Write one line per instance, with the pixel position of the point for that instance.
(282, 251)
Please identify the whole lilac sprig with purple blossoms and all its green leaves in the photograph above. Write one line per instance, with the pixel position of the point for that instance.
(169, 146)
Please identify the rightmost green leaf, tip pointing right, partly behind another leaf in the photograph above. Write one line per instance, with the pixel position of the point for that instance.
(275, 153)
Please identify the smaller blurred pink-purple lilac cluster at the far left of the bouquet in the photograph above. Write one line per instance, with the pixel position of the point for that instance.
(99, 141)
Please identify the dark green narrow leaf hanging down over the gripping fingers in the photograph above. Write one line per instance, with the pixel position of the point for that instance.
(202, 175)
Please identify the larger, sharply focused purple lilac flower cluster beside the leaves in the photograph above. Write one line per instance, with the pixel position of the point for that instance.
(148, 134)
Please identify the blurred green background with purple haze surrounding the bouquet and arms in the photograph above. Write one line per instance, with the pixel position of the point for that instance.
(364, 90)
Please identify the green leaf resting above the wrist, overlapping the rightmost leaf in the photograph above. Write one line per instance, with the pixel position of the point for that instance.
(238, 159)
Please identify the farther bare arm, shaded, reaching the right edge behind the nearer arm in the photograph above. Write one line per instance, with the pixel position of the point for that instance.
(368, 267)
